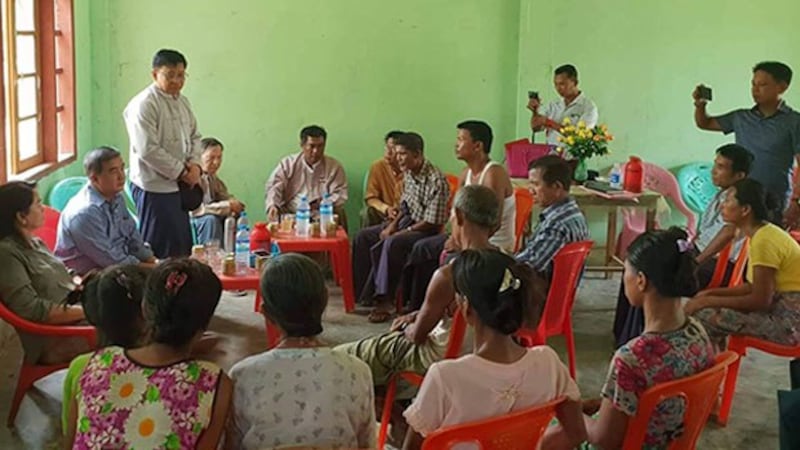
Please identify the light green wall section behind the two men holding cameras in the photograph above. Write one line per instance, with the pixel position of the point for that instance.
(640, 60)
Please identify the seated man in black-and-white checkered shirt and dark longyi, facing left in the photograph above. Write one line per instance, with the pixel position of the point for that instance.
(380, 251)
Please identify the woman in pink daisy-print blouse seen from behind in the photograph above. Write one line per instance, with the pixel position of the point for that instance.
(157, 396)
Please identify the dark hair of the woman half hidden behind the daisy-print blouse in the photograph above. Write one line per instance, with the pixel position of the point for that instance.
(112, 302)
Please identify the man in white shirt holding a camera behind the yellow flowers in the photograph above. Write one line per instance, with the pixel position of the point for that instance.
(572, 104)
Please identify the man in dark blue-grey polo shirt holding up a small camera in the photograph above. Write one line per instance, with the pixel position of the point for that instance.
(770, 130)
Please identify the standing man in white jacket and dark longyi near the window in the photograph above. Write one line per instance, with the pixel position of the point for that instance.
(164, 149)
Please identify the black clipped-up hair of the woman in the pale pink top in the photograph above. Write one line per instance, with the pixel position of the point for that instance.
(502, 306)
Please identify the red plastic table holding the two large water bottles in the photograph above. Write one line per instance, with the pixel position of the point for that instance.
(339, 249)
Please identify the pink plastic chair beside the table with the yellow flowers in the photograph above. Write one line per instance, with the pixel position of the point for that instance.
(656, 179)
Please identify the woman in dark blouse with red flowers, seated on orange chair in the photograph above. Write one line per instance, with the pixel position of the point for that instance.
(659, 271)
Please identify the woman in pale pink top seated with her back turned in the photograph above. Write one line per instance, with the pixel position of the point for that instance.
(495, 293)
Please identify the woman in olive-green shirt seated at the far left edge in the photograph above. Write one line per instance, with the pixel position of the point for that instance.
(34, 284)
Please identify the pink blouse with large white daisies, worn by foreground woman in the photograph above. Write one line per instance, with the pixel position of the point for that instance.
(125, 405)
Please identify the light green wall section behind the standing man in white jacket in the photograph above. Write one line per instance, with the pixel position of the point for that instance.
(260, 70)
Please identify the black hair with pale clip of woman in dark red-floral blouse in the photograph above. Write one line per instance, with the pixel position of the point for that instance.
(667, 259)
